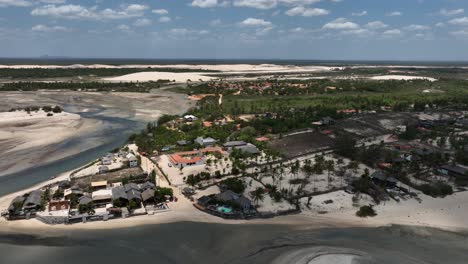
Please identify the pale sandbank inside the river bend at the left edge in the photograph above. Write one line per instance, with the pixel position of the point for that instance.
(22, 134)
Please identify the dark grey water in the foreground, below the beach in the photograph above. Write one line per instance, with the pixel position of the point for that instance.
(213, 243)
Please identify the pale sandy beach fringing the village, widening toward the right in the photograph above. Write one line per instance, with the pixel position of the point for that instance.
(449, 213)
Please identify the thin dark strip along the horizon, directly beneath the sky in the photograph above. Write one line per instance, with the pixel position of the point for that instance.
(122, 61)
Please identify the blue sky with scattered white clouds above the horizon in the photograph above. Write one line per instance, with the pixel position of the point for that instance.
(263, 29)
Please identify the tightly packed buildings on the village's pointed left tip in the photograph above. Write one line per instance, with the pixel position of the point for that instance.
(62, 203)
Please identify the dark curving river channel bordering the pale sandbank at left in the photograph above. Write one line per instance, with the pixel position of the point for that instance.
(113, 133)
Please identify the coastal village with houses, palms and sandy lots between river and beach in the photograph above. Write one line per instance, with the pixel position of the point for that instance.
(238, 166)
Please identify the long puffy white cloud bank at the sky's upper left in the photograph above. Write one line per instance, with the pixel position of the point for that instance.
(81, 12)
